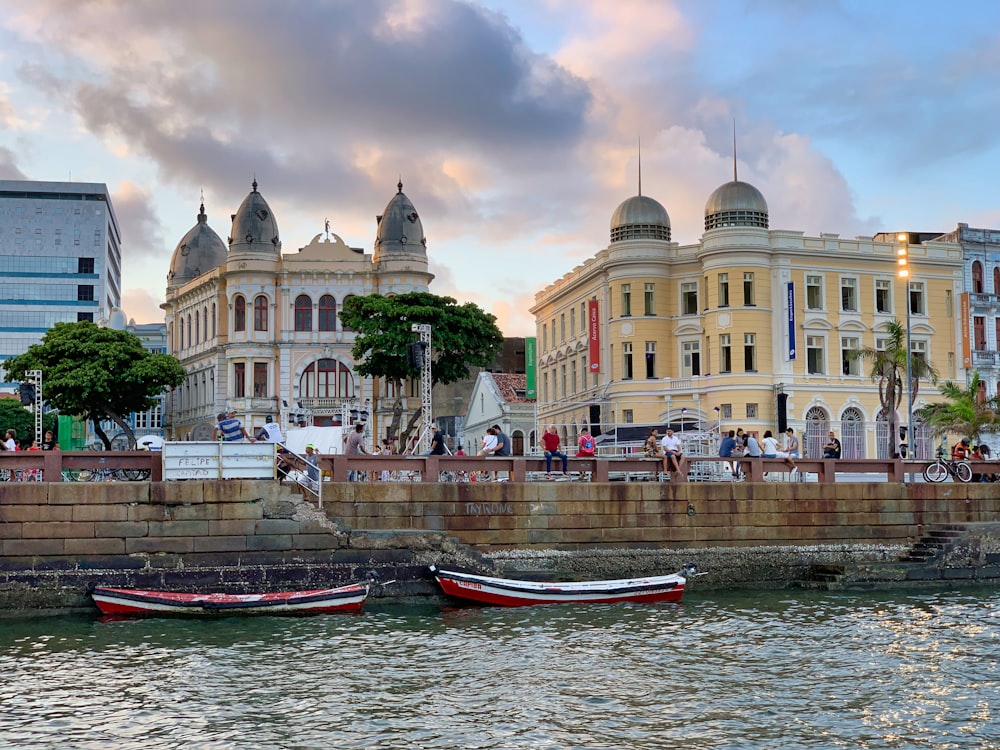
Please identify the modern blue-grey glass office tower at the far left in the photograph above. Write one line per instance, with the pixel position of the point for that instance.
(60, 258)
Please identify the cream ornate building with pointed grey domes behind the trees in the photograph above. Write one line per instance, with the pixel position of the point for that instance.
(258, 331)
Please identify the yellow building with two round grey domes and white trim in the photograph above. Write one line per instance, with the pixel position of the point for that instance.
(745, 323)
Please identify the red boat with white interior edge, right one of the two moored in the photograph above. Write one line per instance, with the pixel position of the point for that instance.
(514, 593)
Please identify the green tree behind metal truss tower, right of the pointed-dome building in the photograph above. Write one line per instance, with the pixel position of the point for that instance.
(462, 336)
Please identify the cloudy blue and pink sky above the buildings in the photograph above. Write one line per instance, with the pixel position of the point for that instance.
(514, 125)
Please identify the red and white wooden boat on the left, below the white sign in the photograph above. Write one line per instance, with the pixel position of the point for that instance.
(348, 598)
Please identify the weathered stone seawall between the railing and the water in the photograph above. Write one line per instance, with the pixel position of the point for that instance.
(58, 539)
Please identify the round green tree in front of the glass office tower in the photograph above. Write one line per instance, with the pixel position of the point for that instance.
(97, 374)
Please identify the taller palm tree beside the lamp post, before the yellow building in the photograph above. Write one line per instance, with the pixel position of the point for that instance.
(888, 368)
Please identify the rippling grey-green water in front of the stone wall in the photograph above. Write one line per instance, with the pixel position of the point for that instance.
(776, 670)
